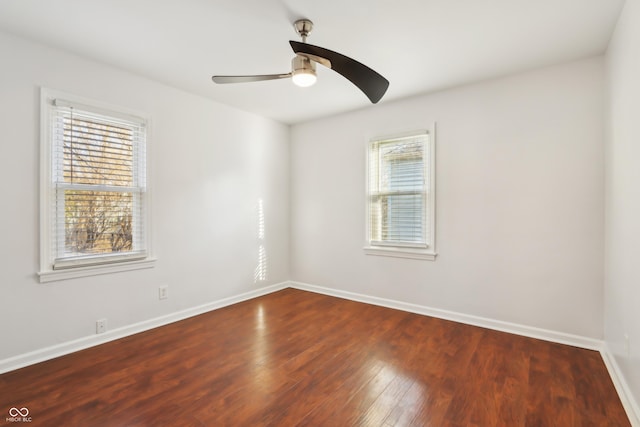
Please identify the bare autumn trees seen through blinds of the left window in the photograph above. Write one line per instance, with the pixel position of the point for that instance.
(98, 170)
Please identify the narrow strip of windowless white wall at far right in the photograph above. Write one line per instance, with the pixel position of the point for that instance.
(622, 225)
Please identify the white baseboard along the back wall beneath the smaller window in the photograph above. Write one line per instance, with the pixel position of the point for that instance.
(498, 325)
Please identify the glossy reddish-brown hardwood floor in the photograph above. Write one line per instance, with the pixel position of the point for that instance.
(299, 358)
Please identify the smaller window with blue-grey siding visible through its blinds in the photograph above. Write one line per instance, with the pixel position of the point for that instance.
(400, 199)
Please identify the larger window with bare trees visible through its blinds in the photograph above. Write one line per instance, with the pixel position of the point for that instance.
(94, 191)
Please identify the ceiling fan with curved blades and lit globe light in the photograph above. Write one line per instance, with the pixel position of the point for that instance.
(303, 67)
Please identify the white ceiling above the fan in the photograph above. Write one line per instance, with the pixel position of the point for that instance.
(418, 45)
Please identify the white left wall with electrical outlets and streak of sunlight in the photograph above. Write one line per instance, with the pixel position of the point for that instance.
(209, 166)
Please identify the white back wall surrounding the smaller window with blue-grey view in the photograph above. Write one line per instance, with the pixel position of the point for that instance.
(520, 191)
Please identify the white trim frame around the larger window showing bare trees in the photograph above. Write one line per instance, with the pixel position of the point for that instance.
(47, 272)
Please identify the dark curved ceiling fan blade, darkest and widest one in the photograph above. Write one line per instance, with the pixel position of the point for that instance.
(368, 81)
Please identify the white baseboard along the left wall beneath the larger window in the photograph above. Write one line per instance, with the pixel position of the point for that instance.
(41, 355)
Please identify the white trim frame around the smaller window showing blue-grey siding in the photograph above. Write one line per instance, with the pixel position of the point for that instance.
(402, 250)
